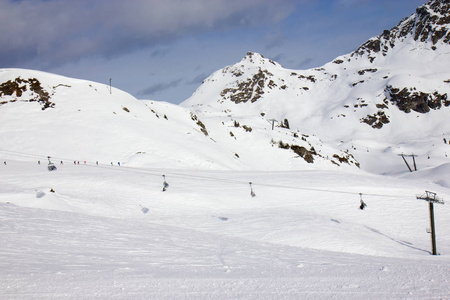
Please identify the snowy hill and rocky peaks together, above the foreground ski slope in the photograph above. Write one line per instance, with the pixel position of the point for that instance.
(388, 97)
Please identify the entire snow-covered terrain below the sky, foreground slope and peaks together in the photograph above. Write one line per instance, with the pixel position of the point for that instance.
(94, 229)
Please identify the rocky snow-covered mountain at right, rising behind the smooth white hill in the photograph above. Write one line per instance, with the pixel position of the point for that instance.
(388, 97)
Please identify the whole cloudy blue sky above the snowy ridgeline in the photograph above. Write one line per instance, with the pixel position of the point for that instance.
(163, 49)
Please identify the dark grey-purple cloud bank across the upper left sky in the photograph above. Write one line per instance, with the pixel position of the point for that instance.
(56, 31)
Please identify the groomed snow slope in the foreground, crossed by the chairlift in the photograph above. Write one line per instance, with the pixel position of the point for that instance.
(110, 232)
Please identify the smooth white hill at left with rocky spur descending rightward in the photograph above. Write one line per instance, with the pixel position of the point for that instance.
(74, 120)
